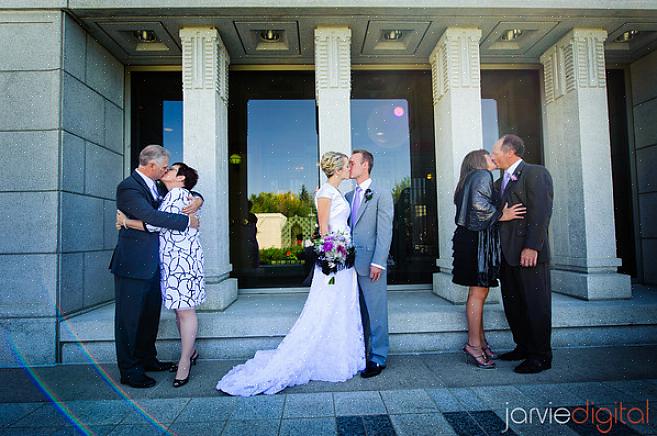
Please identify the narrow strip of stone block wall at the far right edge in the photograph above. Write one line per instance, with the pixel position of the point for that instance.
(644, 99)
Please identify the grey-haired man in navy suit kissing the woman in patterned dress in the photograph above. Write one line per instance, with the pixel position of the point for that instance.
(136, 268)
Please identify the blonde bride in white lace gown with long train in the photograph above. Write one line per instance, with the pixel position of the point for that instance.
(326, 342)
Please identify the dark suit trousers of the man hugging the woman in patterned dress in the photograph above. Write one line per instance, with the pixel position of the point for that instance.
(136, 321)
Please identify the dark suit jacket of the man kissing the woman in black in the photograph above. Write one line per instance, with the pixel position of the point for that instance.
(533, 188)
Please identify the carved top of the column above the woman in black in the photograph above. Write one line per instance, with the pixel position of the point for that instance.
(455, 61)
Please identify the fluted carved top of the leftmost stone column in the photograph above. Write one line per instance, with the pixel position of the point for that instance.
(205, 60)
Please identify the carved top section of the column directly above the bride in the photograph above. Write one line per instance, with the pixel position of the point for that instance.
(332, 59)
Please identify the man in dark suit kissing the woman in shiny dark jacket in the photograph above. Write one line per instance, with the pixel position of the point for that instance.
(525, 275)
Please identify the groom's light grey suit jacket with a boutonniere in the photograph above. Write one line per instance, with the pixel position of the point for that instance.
(372, 231)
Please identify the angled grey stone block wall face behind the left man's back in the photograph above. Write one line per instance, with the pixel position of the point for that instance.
(91, 167)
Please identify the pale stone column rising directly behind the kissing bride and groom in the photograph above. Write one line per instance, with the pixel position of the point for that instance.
(333, 89)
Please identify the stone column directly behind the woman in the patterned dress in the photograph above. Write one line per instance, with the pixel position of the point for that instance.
(205, 147)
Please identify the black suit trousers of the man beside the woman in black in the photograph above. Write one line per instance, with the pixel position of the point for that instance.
(527, 299)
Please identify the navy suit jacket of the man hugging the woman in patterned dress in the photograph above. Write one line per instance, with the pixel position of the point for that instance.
(137, 253)
